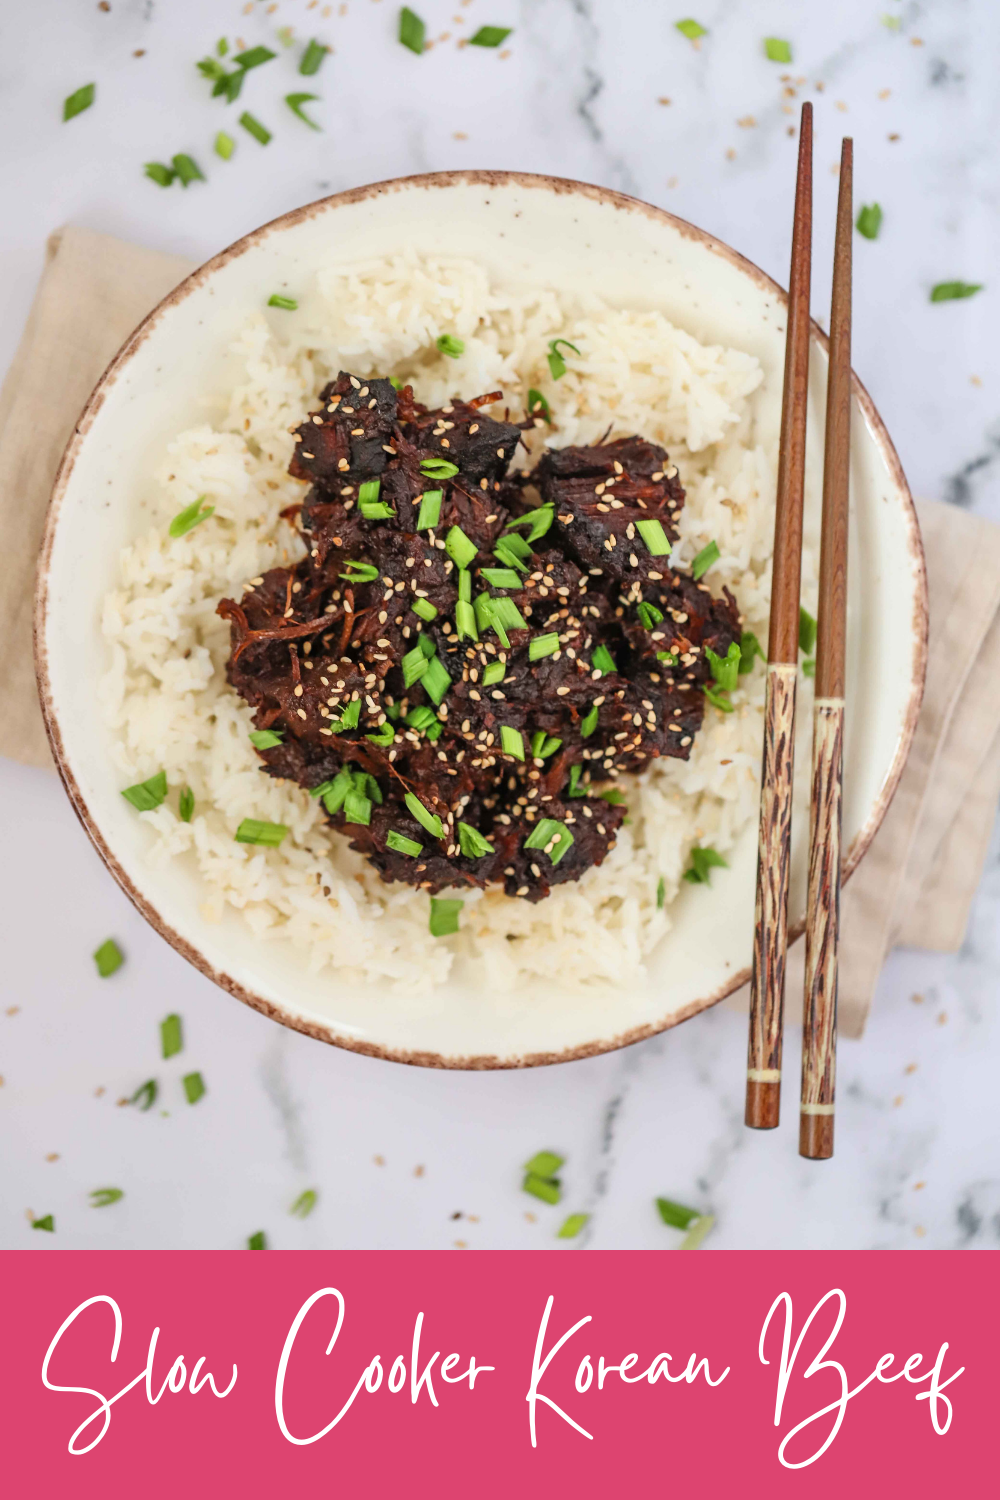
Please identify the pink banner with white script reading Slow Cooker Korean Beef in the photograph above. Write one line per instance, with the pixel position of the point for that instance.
(428, 1373)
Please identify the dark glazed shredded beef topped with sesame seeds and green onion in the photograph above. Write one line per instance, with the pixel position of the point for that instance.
(467, 652)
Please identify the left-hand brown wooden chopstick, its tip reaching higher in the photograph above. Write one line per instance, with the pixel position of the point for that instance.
(774, 842)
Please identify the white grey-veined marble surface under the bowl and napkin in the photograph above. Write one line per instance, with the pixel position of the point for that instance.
(415, 1159)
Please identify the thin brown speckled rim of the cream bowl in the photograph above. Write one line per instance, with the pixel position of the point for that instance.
(563, 187)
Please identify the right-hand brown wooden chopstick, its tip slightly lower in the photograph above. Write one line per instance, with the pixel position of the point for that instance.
(822, 922)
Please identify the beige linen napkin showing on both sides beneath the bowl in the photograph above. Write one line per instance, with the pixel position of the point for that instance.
(920, 875)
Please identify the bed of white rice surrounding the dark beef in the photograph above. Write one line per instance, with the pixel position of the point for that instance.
(167, 697)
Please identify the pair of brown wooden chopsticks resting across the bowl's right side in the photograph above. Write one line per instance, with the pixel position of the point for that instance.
(774, 850)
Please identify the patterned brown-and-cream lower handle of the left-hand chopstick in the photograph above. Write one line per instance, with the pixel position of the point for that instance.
(771, 919)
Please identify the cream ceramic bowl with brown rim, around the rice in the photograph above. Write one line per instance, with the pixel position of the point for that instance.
(522, 227)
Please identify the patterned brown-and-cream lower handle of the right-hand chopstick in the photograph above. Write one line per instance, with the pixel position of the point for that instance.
(822, 928)
